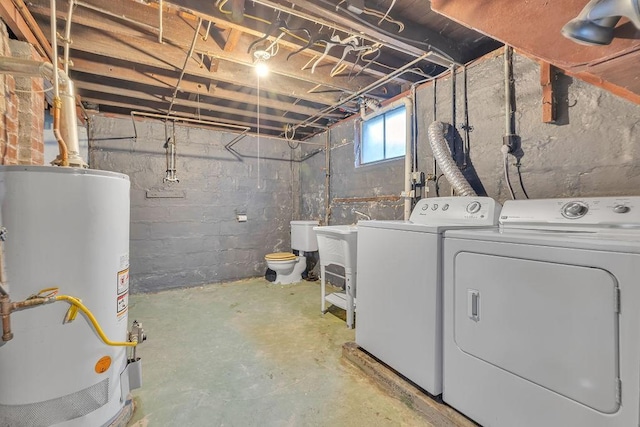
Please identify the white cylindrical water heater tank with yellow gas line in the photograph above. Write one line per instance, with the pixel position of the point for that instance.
(66, 228)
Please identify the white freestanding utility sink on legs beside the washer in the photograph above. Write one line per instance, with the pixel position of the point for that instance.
(338, 245)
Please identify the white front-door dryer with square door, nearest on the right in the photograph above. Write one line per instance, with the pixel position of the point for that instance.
(542, 317)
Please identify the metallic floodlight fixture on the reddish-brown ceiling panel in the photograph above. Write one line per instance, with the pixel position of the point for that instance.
(595, 23)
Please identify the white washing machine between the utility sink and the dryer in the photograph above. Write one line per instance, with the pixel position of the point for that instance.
(399, 300)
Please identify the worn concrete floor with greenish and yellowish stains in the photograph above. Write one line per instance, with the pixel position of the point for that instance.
(251, 353)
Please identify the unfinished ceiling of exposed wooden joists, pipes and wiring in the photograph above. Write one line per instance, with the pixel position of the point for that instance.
(194, 59)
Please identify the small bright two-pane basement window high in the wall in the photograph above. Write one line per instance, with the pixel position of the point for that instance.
(383, 136)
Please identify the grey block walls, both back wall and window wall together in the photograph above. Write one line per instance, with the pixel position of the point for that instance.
(186, 233)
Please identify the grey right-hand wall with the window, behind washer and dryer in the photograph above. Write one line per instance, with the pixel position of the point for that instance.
(592, 150)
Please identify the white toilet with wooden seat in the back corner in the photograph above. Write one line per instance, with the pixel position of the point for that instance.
(287, 265)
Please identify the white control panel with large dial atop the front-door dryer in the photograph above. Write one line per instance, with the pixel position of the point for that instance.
(613, 212)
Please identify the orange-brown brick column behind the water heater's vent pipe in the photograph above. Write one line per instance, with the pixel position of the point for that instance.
(21, 112)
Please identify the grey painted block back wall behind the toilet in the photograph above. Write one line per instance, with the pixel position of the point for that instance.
(186, 233)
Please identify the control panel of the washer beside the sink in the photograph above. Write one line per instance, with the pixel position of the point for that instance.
(463, 210)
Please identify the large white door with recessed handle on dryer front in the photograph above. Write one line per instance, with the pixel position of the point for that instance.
(555, 325)
